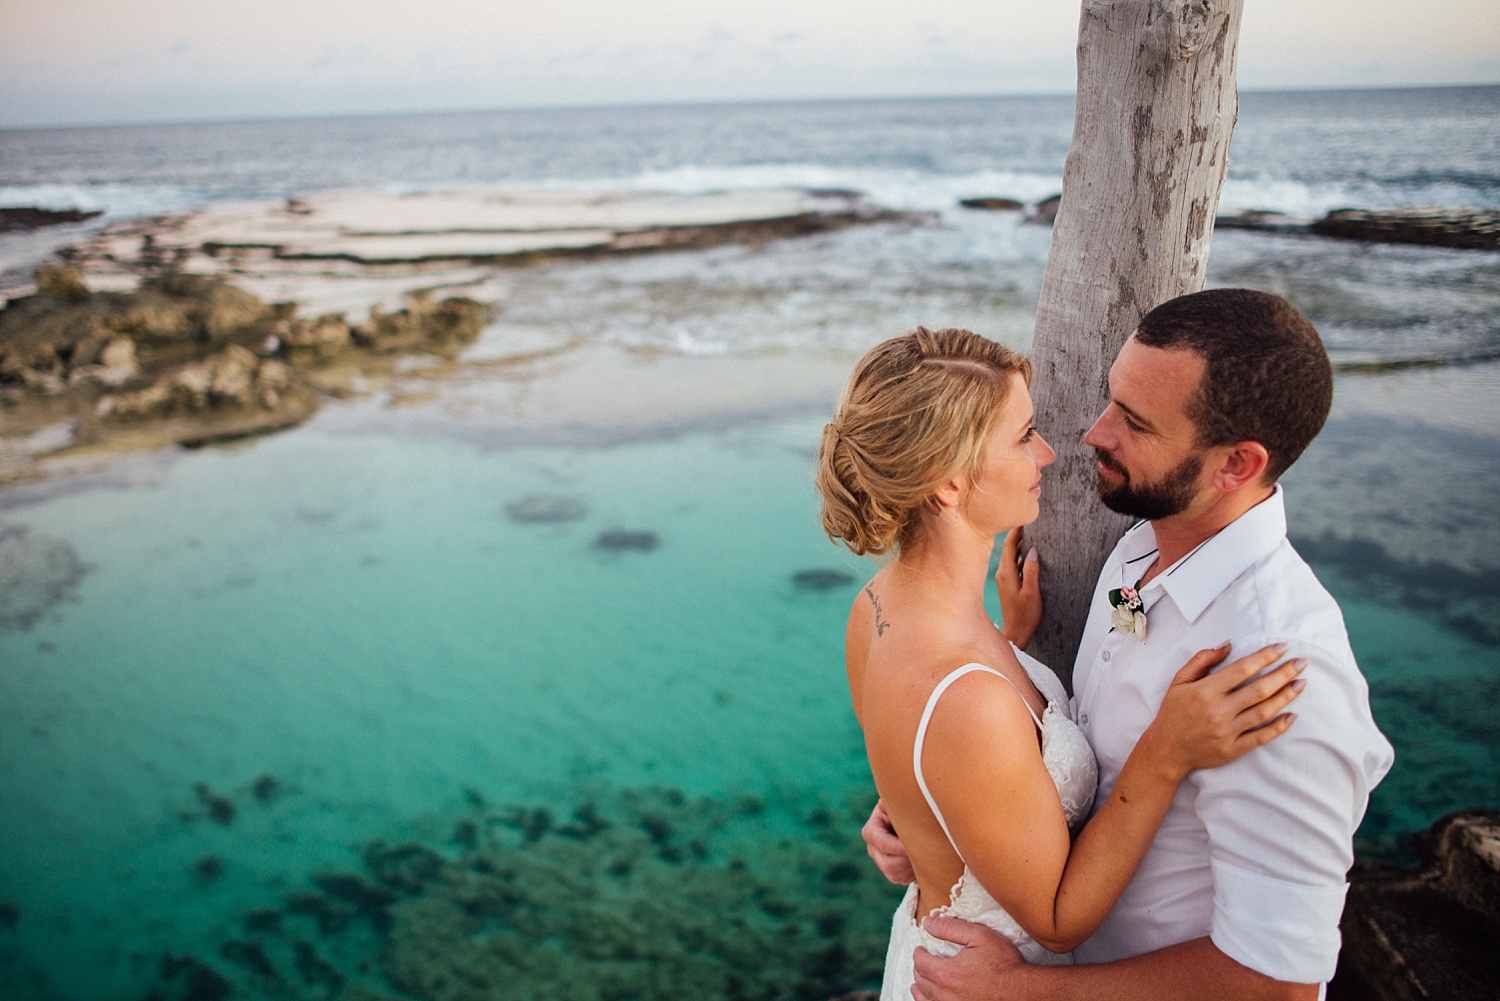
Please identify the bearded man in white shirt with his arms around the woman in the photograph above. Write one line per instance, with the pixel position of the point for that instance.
(1211, 400)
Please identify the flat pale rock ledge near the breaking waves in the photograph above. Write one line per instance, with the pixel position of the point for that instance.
(370, 230)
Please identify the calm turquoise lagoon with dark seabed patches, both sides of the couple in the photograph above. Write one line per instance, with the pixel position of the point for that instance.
(266, 658)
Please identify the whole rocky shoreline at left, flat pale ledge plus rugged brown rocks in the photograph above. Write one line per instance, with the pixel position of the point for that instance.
(232, 323)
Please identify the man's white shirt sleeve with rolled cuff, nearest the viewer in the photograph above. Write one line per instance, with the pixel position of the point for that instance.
(1280, 826)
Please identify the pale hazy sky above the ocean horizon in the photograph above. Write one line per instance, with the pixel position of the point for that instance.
(74, 62)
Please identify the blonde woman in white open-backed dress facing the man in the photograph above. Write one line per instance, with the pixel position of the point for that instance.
(931, 455)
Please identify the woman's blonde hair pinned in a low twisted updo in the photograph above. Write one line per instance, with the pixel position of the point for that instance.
(917, 410)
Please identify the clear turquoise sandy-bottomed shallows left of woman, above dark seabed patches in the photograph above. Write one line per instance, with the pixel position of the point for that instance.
(358, 618)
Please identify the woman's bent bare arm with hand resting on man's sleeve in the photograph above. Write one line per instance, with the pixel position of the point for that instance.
(986, 774)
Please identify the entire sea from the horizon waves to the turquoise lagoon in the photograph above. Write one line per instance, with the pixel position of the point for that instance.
(326, 715)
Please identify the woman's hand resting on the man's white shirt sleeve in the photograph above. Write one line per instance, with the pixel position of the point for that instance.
(1210, 720)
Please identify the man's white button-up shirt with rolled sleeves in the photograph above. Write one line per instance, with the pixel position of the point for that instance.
(1253, 853)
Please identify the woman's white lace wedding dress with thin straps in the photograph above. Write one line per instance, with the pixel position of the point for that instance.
(1072, 766)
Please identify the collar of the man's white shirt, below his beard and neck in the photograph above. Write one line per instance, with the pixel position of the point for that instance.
(1198, 579)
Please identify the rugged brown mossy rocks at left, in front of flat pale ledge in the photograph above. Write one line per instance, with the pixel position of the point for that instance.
(193, 359)
